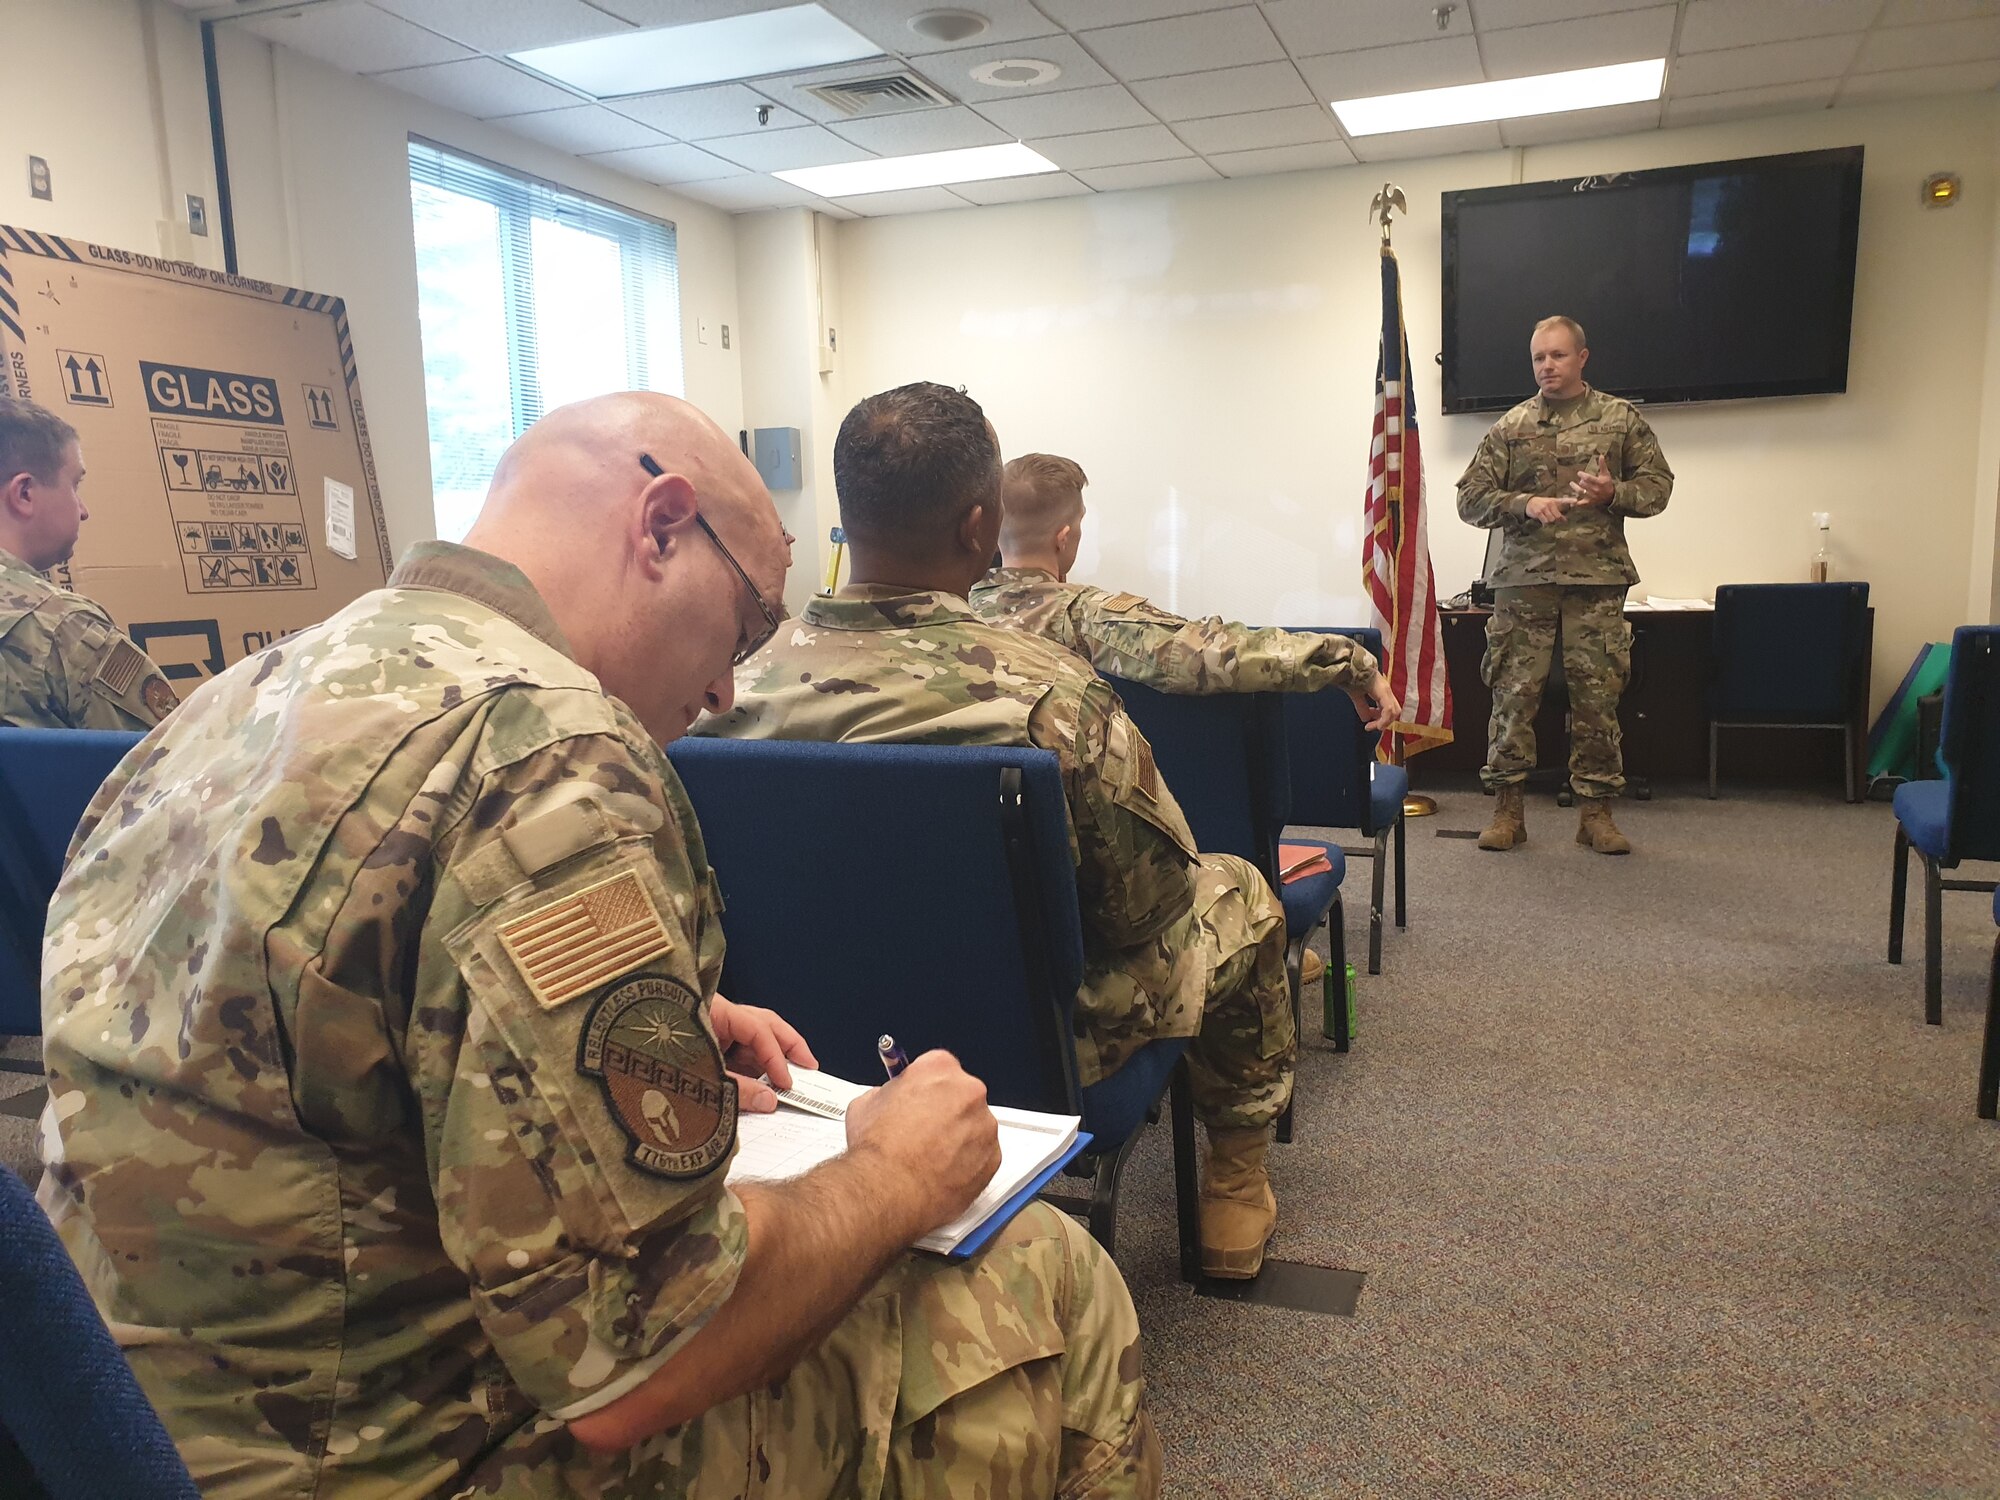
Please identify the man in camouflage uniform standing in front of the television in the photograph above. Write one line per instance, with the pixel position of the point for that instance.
(1559, 477)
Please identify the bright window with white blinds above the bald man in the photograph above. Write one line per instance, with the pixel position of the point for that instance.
(529, 297)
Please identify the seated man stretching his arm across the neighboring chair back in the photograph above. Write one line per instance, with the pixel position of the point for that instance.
(1125, 635)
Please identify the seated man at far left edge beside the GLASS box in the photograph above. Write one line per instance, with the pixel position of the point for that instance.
(63, 663)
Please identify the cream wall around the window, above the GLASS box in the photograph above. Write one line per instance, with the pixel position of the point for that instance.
(113, 95)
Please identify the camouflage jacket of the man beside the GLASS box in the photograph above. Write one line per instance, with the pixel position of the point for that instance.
(65, 665)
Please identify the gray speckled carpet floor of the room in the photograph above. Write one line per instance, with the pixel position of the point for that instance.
(1659, 1181)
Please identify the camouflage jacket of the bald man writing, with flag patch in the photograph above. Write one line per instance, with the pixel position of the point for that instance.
(387, 1121)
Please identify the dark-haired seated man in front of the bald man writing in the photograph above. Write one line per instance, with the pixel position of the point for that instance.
(1177, 943)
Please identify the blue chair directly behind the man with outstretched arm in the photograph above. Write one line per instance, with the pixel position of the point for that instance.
(1223, 757)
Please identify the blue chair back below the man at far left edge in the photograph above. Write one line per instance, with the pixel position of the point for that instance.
(47, 781)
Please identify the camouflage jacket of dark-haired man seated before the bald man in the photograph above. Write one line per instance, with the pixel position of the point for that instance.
(883, 665)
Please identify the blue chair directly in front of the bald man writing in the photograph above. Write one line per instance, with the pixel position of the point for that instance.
(927, 893)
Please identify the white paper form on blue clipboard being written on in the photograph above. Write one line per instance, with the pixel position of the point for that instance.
(809, 1127)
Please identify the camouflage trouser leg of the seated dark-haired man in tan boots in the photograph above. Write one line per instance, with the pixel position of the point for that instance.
(1241, 1061)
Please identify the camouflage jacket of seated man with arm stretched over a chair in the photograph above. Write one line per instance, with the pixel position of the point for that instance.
(1127, 637)
